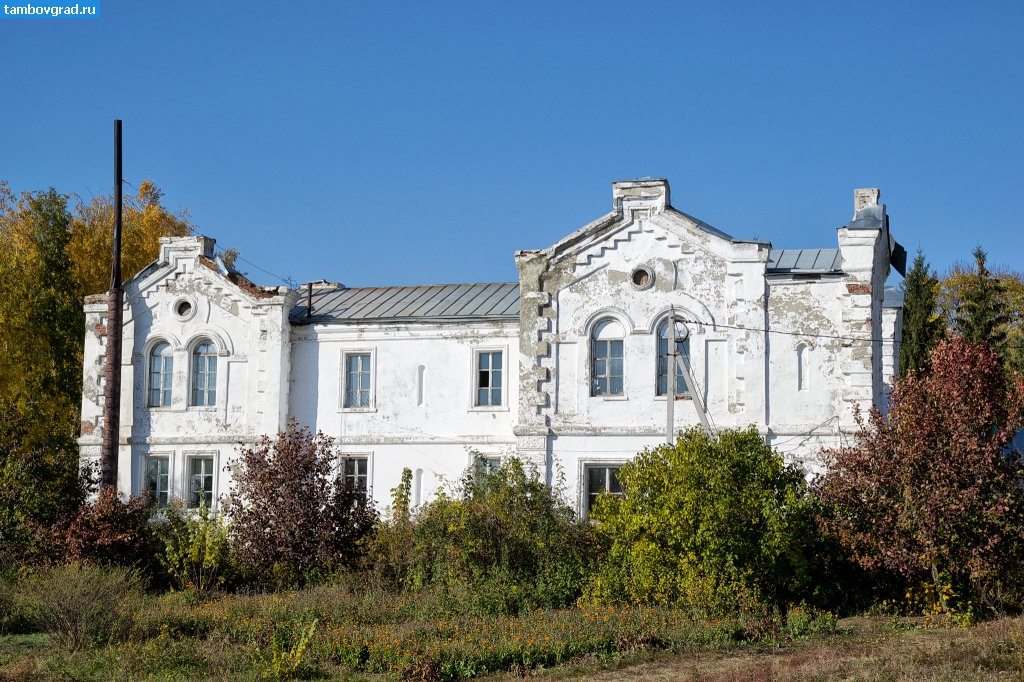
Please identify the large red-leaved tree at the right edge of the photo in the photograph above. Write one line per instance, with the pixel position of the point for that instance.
(931, 487)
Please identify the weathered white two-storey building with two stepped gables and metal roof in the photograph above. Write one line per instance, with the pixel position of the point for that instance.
(567, 368)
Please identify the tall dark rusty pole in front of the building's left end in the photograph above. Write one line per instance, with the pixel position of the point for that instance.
(112, 389)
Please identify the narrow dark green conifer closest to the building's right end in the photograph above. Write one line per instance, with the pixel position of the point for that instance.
(923, 326)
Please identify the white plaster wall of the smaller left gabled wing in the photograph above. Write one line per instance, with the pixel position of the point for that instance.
(248, 332)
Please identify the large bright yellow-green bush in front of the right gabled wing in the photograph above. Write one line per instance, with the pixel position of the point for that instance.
(710, 524)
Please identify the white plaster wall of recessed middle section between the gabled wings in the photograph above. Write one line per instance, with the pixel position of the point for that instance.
(398, 431)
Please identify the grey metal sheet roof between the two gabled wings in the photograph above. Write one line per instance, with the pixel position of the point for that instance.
(439, 304)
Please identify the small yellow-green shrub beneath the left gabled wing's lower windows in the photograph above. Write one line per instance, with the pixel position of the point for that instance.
(197, 549)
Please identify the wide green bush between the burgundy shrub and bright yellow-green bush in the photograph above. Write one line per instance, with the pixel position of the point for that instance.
(506, 538)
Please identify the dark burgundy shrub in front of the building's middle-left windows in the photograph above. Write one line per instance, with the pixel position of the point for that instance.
(292, 513)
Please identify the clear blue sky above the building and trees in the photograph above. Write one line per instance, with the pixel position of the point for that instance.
(378, 144)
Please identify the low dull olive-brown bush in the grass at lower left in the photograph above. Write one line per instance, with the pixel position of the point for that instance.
(82, 605)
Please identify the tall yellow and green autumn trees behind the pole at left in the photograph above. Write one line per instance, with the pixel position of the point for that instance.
(52, 254)
